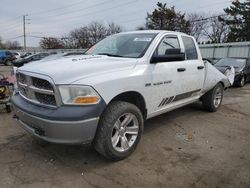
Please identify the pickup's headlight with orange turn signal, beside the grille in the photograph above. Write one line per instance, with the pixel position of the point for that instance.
(78, 95)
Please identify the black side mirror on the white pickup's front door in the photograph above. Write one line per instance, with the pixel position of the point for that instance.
(170, 55)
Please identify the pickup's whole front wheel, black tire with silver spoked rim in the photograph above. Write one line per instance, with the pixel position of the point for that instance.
(110, 129)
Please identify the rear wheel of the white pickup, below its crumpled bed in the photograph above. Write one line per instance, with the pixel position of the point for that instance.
(212, 99)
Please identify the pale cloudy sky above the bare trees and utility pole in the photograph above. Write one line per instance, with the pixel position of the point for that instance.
(54, 18)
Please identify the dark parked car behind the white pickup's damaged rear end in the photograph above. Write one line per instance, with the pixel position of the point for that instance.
(241, 66)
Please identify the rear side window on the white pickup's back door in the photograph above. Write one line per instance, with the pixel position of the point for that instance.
(190, 49)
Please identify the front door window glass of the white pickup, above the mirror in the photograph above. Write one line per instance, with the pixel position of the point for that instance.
(167, 43)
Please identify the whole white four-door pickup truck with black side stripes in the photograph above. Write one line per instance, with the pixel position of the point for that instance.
(105, 96)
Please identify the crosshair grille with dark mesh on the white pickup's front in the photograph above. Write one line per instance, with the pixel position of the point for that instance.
(37, 90)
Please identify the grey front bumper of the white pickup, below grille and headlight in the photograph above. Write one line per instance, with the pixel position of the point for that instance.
(57, 125)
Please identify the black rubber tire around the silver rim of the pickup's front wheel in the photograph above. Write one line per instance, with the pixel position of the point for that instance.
(110, 116)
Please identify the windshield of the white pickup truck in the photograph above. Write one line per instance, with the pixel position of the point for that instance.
(123, 45)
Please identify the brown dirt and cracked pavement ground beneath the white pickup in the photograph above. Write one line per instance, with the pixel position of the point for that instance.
(188, 147)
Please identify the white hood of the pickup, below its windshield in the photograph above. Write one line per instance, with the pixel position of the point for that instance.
(70, 69)
